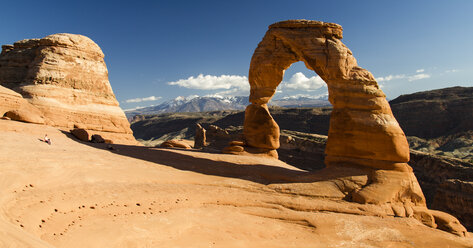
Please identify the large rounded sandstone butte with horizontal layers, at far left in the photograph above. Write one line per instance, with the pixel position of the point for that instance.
(64, 76)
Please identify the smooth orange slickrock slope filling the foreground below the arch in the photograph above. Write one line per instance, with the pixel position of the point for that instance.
(75, 194)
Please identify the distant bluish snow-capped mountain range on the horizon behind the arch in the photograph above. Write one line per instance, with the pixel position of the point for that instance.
(217, 103)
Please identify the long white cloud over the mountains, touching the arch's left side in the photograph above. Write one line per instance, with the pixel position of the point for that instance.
(209, 82)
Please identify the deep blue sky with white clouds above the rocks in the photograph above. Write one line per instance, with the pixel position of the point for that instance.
(156, 50)
